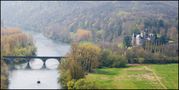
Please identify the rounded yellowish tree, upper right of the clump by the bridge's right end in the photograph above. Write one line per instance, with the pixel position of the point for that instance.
(89, 56)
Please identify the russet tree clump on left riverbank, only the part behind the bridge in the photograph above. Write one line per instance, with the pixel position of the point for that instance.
(15, 42)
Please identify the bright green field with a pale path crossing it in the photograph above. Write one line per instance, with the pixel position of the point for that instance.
(151, 76)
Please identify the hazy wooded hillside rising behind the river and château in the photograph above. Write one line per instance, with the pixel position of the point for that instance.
(107, 22)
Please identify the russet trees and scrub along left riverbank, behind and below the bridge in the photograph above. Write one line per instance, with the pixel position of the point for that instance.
(14, 42)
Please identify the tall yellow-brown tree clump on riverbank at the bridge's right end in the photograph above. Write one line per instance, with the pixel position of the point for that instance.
(83, 58)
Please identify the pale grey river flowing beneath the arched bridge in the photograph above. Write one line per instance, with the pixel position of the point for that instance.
(27, 79)
